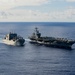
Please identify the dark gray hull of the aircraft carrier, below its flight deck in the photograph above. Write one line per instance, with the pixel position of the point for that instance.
(55, 43)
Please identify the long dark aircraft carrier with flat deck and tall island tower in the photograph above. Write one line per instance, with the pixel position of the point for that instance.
(36, 38)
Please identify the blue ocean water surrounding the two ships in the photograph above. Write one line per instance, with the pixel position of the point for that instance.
(37, 60)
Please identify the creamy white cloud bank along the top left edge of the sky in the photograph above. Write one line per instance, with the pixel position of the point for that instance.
(7, 4)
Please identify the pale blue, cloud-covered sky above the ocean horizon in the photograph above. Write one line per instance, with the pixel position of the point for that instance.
(37, 10)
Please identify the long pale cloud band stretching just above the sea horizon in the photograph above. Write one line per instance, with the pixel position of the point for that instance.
(30, 15)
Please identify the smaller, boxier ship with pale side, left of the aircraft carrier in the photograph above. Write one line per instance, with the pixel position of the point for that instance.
(13, 39)
